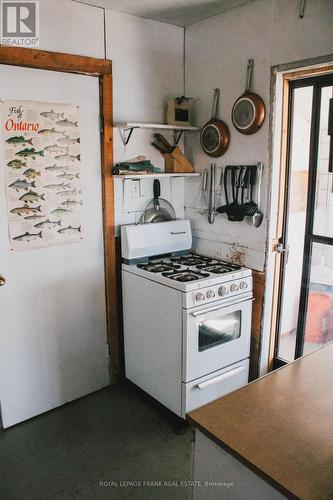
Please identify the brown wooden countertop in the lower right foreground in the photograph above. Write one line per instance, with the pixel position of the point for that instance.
(281, 426)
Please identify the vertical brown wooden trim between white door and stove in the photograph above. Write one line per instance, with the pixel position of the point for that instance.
(109, 227)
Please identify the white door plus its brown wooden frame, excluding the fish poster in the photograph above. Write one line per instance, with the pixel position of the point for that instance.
(41, 342)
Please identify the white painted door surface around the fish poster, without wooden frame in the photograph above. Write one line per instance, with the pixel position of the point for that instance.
(53, 343)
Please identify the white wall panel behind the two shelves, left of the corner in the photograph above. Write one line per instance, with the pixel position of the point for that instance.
(147, 58)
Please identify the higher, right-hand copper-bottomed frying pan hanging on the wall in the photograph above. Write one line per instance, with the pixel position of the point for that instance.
(248, 112)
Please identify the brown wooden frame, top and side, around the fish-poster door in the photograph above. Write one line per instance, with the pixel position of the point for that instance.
(101, 69)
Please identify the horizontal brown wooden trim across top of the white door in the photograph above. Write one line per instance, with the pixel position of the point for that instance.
(54, 61)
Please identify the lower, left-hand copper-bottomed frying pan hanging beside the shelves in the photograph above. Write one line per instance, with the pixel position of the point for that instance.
(215, 135)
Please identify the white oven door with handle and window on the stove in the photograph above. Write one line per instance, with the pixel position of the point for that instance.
(216, 336)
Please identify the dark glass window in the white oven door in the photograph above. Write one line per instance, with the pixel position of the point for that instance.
(220, 330)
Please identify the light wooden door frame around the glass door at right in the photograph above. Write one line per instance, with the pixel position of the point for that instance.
(285, 125)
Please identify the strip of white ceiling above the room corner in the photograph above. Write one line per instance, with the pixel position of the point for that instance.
(178, 12)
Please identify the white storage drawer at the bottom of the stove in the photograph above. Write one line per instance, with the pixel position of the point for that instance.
(213, 386)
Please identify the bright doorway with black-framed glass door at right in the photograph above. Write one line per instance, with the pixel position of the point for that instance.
(304, 320)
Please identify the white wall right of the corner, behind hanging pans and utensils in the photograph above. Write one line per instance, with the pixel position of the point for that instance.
(217, 50)
